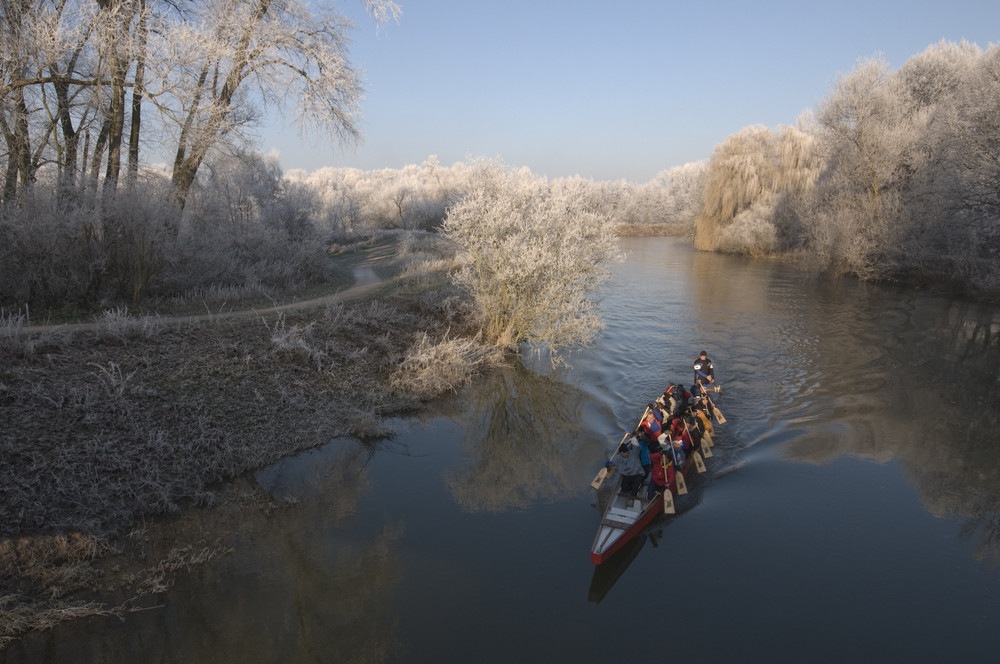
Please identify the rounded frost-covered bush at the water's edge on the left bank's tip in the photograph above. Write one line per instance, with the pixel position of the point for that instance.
(533, 255)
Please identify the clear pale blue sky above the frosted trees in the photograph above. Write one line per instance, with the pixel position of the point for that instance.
(609, 90)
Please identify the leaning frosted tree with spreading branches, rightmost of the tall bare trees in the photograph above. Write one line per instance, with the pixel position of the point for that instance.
(282, 49)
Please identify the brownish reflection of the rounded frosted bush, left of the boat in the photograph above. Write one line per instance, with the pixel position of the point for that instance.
(525, 442)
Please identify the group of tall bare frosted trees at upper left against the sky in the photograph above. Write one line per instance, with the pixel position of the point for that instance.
(68, 68)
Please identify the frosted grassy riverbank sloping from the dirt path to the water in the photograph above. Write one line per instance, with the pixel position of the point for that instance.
(113, 426)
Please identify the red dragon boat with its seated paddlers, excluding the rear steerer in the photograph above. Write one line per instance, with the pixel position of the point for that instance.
(680, 444)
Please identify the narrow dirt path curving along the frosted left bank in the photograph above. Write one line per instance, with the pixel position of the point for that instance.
(366, 281)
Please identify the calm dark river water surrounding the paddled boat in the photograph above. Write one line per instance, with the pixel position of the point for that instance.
(851, 512)
